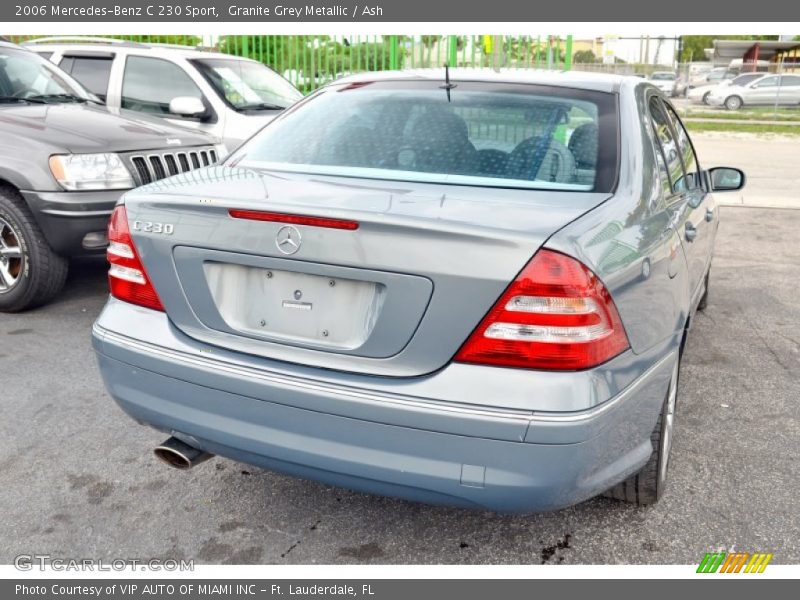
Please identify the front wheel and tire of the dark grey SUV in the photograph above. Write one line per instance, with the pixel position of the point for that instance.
(31, 274)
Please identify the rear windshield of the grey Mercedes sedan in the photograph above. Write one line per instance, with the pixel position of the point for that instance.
(488, 134)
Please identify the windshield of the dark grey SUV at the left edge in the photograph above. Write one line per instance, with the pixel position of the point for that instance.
(24, 76)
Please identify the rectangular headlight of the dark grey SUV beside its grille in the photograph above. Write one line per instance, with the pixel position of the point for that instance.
(90, 172)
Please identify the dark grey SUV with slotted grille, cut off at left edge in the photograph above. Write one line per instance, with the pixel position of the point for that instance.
(64, 162)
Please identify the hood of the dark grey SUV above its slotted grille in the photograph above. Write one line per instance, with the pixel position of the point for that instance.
(87, 128)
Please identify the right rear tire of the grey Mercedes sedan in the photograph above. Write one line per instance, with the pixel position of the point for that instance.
(647, 486)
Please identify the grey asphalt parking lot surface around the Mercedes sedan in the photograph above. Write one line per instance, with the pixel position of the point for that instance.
(78, 477)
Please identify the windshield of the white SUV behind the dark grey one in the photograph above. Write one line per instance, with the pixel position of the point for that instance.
(247, 85)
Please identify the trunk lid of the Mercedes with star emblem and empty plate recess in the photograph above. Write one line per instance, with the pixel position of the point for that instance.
(395, 296)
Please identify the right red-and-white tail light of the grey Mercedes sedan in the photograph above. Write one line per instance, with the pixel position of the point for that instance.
(556, 315)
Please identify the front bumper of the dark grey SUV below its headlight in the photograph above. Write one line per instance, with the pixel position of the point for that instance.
(67, 217)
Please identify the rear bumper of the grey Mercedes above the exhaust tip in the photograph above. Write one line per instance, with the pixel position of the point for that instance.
(391, 444)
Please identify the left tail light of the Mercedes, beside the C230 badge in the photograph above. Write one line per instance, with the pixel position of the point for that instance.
(127, 277)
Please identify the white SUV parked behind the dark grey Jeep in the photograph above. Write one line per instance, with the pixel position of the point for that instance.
(226, 96)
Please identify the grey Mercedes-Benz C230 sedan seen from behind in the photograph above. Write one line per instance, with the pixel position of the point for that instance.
(465, 288)
